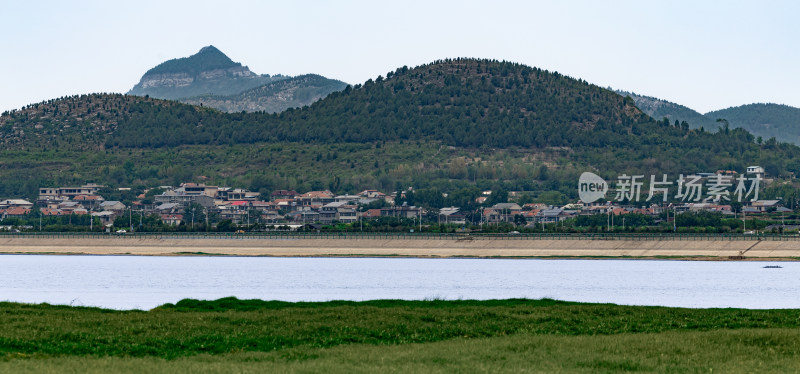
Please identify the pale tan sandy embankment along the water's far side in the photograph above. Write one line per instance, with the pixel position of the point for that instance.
(485, 247)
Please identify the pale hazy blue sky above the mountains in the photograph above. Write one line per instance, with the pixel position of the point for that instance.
(703, 54)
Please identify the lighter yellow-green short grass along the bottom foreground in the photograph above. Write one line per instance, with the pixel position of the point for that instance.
(729, 351)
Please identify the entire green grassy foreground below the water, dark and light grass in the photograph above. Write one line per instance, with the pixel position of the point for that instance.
(230, 335)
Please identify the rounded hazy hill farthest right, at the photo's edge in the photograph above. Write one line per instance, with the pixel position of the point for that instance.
(764, 120)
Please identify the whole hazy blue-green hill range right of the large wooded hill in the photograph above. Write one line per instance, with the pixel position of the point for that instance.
(762, 120)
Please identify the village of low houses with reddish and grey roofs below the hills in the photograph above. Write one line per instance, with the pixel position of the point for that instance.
(193, 204)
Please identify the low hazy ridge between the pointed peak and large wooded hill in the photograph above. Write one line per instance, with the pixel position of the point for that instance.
(273, 97)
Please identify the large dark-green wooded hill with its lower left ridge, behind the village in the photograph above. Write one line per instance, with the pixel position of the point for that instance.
(450, 124)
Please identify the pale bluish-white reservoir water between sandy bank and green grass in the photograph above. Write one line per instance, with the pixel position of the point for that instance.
(140, 282)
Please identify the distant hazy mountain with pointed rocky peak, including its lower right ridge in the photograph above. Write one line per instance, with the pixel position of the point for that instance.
(226, 85)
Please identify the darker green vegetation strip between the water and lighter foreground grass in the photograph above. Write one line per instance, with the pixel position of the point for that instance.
(229, 325)
